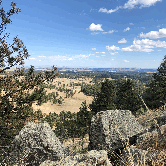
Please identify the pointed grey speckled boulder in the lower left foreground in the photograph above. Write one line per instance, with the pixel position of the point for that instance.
(36, 143)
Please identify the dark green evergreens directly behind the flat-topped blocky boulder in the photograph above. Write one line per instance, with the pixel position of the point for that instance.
(119, 94)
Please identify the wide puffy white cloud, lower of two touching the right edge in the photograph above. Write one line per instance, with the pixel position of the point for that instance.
(145, 45)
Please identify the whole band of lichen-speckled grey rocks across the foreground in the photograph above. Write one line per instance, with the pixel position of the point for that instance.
(37, 144)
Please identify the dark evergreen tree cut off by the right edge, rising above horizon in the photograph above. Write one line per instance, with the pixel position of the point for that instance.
(155, 94)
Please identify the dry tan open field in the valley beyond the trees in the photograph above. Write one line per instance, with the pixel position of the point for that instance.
(71, 104)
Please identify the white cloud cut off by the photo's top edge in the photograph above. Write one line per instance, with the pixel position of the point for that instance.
(143, 3)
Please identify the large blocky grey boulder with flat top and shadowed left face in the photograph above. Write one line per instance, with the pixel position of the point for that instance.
(109, 130)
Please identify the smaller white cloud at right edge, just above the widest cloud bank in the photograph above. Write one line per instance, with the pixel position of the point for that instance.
(154, 34)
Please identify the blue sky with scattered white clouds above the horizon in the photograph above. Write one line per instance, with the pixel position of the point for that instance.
(90, 33)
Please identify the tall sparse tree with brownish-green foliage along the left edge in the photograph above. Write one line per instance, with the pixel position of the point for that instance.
(16, 102)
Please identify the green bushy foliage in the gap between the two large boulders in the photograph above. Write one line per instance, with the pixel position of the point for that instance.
(71, 125)
